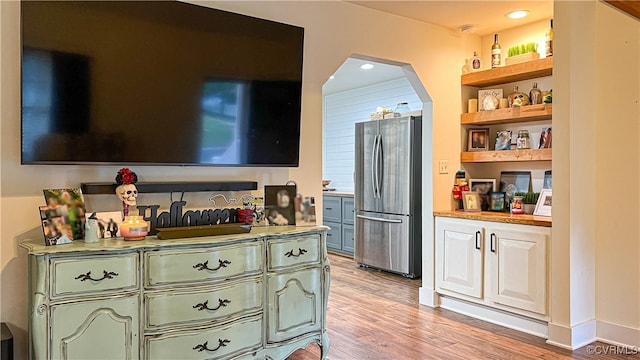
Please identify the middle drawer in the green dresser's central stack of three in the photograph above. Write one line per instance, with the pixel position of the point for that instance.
(196, 306)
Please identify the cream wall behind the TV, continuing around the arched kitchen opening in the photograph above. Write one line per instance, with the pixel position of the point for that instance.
(436, 55)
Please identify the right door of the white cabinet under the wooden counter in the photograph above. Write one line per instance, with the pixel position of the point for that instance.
(518, 269)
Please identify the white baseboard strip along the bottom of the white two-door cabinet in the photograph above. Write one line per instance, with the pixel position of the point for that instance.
(495, 316)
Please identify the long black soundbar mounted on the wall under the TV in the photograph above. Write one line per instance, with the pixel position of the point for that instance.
(169, 187)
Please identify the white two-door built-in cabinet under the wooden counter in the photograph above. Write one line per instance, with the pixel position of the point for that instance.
(496, 264)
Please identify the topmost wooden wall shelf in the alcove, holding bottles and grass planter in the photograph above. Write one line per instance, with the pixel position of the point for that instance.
(510, 73)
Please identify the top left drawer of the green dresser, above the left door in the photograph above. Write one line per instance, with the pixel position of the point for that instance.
(94, 274)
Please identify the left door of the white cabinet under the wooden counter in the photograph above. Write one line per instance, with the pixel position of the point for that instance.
(459, 260)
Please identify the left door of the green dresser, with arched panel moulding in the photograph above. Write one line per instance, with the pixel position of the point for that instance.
(98, 329)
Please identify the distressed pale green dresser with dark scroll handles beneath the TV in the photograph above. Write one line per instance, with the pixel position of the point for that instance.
(258, 295)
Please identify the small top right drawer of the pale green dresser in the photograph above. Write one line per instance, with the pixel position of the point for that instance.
(293, 251)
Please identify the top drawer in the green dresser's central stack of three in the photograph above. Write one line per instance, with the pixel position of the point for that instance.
(207, 264)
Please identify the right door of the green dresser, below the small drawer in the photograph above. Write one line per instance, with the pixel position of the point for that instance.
(295, 304)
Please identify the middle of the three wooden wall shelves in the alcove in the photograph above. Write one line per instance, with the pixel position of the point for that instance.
(509, 115)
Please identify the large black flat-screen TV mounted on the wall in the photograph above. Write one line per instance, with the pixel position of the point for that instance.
(158, 83)
